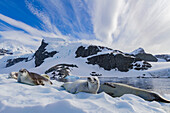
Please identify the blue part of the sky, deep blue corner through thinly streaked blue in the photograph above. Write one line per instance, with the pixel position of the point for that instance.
(65, 20)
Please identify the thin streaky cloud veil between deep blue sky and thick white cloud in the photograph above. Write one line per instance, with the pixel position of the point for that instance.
(61, 17)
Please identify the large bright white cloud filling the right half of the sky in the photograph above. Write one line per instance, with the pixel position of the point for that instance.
(129, 24)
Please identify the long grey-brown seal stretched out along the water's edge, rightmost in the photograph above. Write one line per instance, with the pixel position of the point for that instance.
(119, 89)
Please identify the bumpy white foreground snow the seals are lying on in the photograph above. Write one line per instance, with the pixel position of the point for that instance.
(21, 98)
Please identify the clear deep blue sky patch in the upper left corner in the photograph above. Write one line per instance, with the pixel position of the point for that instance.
(17, 10)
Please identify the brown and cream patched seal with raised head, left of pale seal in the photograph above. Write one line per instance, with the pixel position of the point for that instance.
(24, 76)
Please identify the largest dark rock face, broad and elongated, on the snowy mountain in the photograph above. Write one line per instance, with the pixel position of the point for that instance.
(119, 61)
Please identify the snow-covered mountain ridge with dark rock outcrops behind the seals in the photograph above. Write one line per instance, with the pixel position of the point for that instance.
(88, 58)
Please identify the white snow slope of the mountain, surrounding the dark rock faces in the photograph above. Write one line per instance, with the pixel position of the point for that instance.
(66, 54)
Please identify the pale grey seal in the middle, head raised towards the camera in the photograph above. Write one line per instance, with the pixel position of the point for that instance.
(91, 85)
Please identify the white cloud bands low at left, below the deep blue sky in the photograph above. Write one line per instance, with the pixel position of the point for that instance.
(26, 35)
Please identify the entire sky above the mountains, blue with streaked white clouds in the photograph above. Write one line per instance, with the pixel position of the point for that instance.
(119, 24)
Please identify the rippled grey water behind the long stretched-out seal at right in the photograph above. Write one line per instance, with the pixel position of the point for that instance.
(160, 85)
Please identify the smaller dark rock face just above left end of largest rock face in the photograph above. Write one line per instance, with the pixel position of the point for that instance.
(91, 50)
